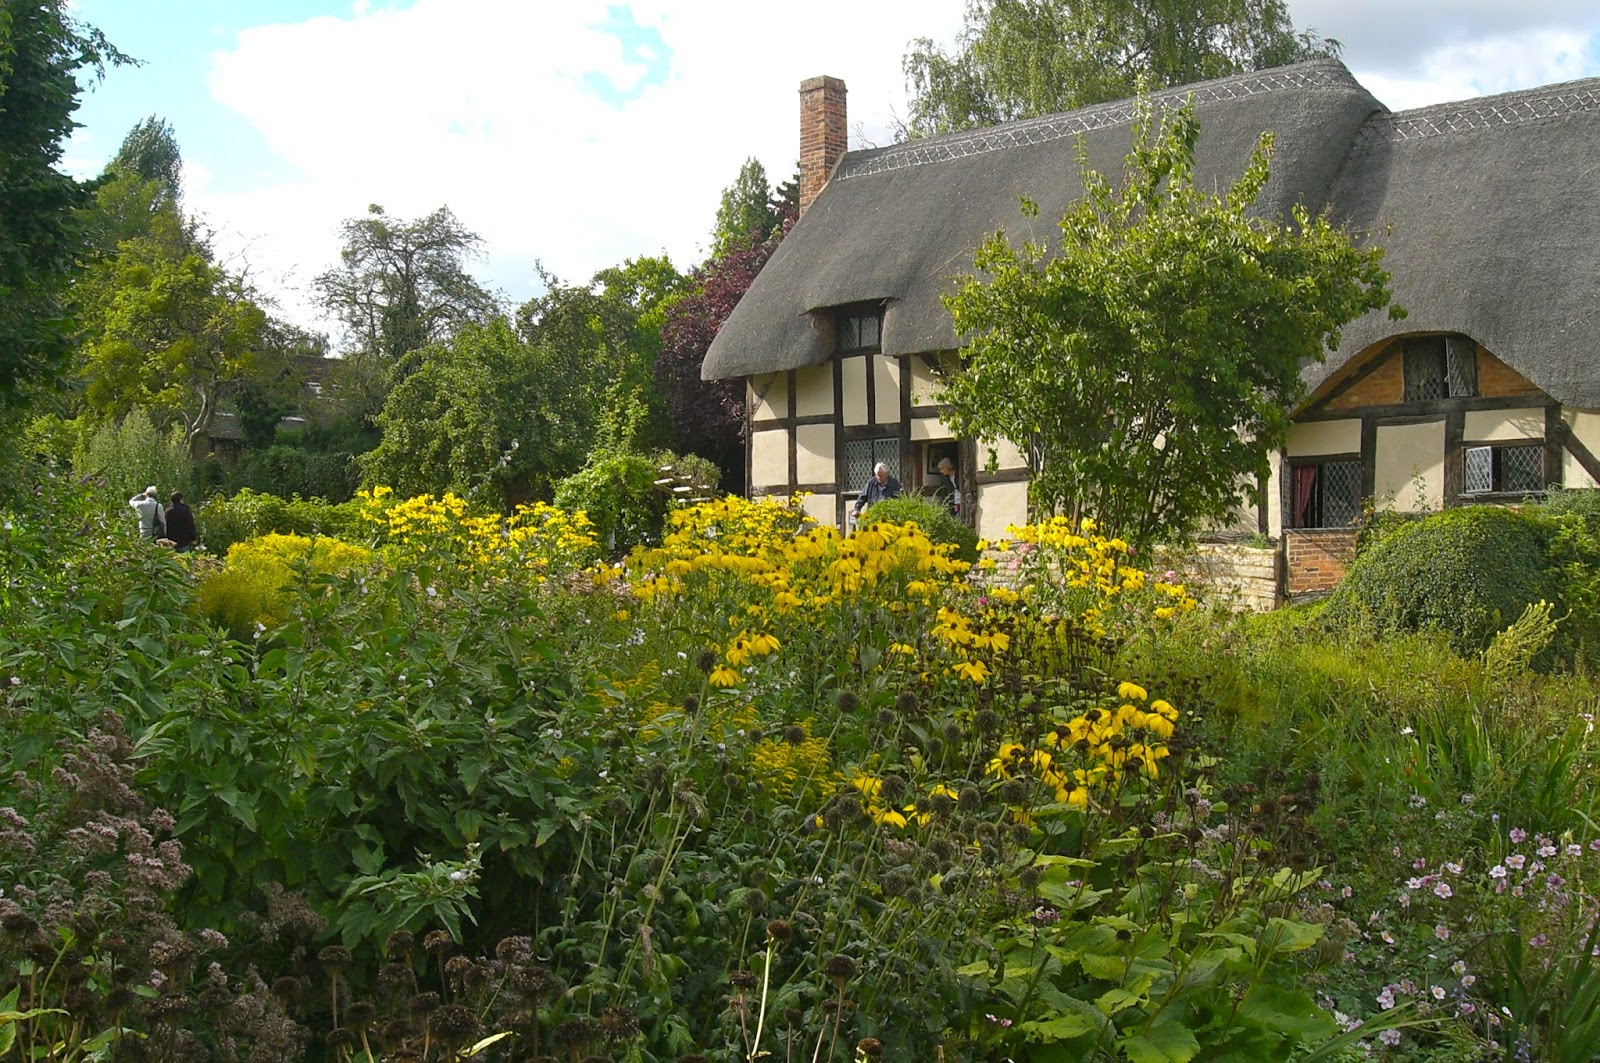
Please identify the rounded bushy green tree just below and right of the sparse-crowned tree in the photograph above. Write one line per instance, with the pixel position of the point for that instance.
(481, 414)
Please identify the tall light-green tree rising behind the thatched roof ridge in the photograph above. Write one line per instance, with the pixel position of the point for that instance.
(1023, 58)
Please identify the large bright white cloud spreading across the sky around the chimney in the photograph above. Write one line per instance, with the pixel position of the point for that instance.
(479, 105)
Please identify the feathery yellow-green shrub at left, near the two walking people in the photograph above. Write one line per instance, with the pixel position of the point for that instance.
(254, 587)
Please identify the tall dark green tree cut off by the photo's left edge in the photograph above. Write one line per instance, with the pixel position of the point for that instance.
(41, 228)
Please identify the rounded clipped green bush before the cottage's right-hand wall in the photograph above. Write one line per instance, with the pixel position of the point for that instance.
(1465, 574)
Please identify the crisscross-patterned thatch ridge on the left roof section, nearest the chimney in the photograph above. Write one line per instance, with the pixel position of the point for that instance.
(1084, 121)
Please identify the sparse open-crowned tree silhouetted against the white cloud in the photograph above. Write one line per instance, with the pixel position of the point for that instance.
(404, 284)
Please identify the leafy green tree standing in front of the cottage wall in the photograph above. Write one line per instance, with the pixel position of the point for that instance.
(1150, 363)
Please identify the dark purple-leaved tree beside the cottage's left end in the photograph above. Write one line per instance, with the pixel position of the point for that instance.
(708, 417)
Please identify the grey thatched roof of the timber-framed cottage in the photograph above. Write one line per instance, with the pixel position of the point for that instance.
(1487, 209)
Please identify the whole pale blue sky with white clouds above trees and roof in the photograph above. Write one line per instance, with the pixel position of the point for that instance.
(583, 134)
